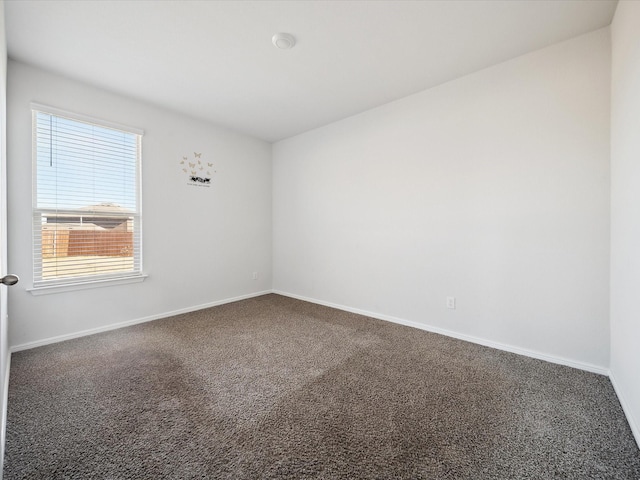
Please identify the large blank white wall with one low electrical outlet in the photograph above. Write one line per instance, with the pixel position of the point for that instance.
(493, 188)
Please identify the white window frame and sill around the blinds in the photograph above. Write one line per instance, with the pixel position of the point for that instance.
(43, 286)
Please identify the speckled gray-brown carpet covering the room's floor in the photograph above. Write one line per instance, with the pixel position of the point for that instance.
(272, 387)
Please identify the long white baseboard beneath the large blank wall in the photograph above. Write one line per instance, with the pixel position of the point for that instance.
(469, 338)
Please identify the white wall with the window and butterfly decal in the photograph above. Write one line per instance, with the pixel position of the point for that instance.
(201, 245)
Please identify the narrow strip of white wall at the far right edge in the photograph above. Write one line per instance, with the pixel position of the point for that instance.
(625, 209)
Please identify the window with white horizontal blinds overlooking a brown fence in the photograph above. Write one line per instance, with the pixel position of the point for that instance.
(86, 207)
